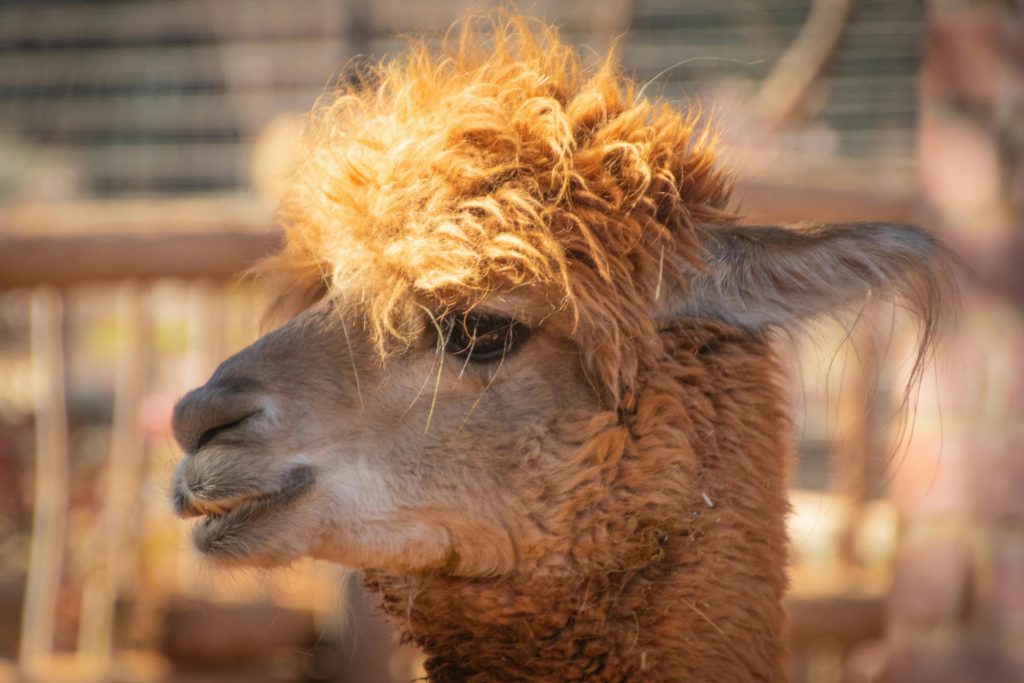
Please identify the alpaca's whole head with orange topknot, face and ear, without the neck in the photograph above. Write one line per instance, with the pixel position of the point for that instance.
(497, 257)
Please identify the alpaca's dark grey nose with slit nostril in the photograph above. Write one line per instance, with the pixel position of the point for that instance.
(211, 410)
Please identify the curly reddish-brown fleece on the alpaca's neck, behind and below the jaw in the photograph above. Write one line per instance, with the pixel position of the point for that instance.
(677, 568)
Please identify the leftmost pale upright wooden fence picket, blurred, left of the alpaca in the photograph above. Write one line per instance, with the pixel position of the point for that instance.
(51, 500)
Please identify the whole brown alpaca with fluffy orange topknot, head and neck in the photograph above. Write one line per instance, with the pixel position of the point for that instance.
(531, 393)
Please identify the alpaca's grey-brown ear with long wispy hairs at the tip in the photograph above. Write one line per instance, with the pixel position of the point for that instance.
(764, 277)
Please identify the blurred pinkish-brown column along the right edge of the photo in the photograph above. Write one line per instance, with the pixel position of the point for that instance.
(957, 611)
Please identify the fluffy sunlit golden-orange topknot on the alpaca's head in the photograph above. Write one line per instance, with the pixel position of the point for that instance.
(496, 163)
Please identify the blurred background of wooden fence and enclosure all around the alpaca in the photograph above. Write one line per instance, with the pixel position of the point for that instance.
(143, 146)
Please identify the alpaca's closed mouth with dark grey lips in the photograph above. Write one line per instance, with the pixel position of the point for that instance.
(224, 521)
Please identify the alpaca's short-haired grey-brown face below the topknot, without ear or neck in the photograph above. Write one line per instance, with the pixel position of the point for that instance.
(309, 443)
